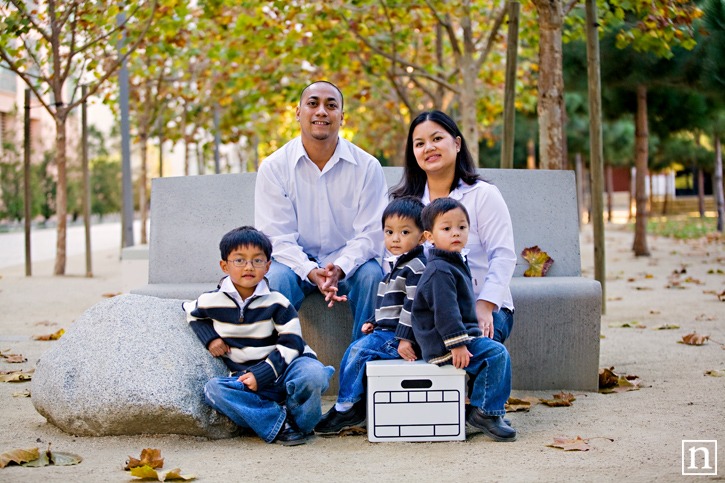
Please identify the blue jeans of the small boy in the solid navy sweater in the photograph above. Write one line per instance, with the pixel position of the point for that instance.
(491, 368)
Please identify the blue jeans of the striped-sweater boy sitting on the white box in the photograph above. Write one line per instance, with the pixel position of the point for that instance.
(380, 345)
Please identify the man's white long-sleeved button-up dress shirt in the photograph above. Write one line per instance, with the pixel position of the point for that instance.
(332, 216)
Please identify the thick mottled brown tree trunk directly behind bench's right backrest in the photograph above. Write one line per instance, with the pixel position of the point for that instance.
(550, 107)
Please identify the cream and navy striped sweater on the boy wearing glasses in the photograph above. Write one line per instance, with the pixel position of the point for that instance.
(264, 337)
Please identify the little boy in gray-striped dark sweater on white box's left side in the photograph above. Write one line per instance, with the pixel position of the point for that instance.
(388, 333)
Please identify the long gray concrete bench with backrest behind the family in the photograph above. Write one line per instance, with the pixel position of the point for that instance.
(555, 341)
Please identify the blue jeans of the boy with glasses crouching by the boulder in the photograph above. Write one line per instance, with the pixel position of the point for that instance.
(299, 389)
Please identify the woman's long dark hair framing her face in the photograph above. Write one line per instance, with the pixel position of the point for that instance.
(414, 178)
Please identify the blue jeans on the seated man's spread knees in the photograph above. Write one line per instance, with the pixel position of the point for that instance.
(361, 289)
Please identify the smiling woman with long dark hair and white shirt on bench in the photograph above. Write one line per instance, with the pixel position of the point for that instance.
(437, 165)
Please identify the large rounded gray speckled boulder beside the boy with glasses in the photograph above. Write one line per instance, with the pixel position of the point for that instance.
(129, 365)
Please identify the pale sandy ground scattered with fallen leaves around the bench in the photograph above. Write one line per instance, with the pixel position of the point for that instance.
(676, 403)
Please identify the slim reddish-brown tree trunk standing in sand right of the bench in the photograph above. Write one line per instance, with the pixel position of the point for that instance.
(641, 133)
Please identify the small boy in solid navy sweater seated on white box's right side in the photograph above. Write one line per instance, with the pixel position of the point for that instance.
(445, 323)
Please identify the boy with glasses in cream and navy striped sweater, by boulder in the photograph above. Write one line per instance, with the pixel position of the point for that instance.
(276, 380)
